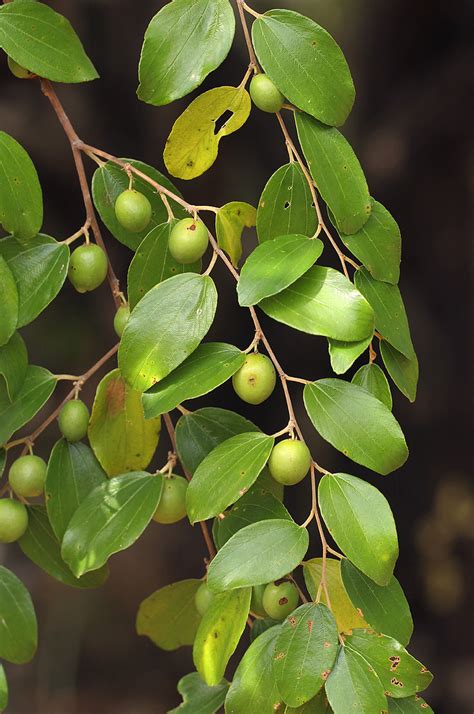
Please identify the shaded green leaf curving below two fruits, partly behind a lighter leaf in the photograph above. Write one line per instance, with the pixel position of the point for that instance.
(40, 545)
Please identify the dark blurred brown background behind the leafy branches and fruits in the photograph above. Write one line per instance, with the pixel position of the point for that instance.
(411, 127)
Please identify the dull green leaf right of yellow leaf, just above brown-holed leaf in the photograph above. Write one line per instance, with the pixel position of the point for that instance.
(384, 608)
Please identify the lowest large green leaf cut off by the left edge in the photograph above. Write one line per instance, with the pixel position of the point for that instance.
(18, 626)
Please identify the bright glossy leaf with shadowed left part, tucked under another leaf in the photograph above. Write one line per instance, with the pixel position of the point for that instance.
(323, 302)
